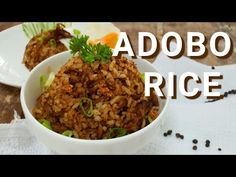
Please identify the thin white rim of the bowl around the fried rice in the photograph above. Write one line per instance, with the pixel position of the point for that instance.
(30, 117)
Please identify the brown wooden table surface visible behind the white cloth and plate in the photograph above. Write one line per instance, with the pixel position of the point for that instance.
(10, 96)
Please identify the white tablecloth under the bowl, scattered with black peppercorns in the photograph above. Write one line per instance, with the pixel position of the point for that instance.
(195, 119)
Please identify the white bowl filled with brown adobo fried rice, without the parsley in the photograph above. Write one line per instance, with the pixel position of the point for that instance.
(97, 108)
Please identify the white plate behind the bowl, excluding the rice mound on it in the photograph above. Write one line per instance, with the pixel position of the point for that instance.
(12, 47)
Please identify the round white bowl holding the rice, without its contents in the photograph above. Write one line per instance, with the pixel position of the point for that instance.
(128, 144)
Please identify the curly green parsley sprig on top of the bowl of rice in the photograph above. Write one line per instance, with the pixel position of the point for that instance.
(89, 52)
